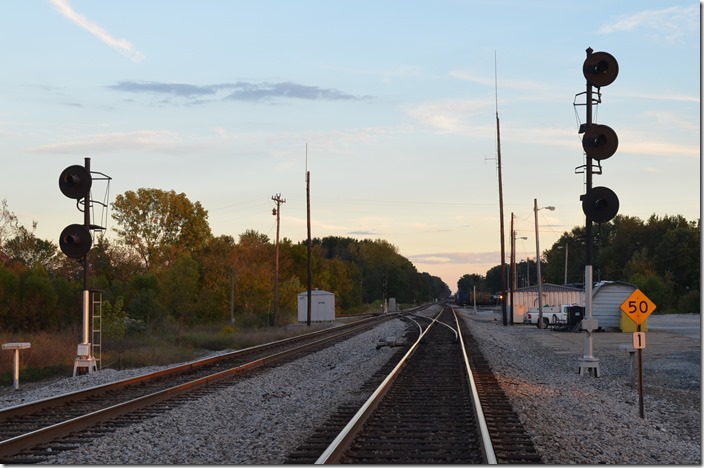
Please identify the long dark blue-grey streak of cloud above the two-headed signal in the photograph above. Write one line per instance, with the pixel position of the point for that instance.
(237, 91)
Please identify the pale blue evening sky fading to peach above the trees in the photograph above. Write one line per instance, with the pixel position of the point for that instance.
(394, 100)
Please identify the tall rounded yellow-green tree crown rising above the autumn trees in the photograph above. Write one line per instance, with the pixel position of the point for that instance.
(160, 225)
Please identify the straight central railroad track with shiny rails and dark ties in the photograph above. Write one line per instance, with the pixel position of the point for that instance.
(431, 408)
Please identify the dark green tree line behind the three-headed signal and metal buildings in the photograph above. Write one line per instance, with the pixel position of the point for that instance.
(661, 256)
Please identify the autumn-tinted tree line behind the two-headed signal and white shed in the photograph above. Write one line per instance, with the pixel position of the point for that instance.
(166, 265)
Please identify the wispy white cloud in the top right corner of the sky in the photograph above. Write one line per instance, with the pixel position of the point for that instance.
(668, 24)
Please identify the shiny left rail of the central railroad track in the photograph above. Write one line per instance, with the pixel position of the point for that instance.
(337, 447)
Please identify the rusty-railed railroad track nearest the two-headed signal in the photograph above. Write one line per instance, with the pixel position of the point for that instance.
(27, 431)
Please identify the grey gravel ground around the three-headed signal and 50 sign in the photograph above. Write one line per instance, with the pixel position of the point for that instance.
(582, 419)
